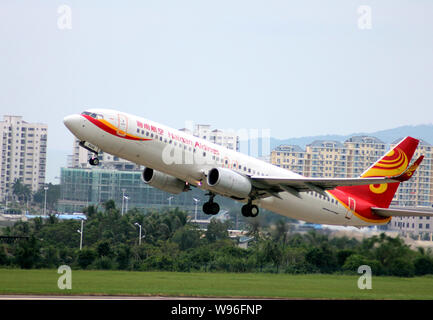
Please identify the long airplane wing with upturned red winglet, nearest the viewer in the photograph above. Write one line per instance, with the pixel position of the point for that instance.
(273, 185)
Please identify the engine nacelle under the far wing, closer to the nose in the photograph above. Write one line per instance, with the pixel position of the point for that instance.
(163, 181)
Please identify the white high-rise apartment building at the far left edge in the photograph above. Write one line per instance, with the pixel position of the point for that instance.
(23, 154)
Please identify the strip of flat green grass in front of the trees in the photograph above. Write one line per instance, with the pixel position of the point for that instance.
(16, 281)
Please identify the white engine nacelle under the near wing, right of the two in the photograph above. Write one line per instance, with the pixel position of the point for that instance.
(229, 183)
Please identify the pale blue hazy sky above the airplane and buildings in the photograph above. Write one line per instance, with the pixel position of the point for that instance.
(296, 68)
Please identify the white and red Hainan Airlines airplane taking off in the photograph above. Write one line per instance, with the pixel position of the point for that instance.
(175, 161)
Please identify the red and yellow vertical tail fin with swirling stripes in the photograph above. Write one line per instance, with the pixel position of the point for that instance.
(394, 163)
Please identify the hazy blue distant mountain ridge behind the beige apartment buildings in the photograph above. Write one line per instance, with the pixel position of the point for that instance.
(424, 132)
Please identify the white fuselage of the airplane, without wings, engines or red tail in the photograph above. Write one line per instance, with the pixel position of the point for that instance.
(189, 158)
